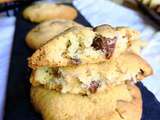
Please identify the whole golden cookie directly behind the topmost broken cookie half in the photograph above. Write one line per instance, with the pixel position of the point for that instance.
(46, 31)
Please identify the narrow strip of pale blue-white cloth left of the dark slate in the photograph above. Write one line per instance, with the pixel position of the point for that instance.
(7, 27)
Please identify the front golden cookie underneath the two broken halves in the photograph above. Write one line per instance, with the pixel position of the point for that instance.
(122, 102)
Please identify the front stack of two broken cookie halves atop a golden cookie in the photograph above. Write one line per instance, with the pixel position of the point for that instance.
(89, 74)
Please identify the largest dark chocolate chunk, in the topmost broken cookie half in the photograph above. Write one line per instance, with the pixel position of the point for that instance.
(107, 45)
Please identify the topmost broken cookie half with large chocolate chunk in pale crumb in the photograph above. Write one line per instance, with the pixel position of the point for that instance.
(80, 45)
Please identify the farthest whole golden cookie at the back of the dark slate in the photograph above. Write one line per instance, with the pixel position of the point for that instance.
(42, 11)
